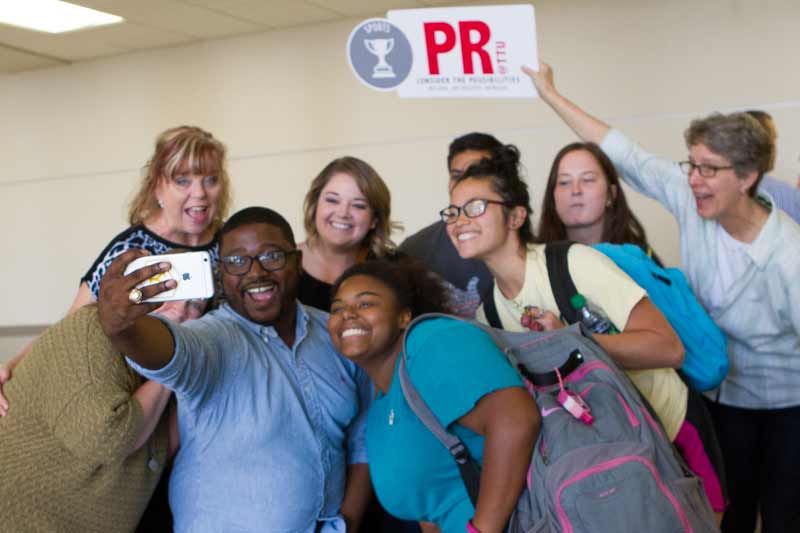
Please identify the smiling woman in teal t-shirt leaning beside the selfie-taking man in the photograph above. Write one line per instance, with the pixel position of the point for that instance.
(465, 380)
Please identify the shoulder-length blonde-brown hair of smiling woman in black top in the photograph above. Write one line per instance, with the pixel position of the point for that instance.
(378, 240)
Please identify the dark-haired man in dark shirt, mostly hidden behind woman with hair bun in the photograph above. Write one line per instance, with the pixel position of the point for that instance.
(431, 245)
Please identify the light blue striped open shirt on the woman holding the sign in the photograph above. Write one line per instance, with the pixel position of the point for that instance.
(761, 314)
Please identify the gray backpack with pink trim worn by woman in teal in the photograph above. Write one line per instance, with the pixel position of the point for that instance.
(617, 473)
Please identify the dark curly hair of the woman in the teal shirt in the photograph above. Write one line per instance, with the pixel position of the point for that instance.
(415, 287)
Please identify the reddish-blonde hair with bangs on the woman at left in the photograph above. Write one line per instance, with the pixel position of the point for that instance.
(182, 149)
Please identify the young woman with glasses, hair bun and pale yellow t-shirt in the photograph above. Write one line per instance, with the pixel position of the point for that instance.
(489, 219)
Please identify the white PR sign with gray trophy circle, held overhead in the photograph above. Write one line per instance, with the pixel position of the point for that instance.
(460, 52)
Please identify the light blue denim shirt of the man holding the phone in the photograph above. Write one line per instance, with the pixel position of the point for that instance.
(267, 431)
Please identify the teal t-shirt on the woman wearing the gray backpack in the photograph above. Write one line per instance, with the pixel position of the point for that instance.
(453, 365)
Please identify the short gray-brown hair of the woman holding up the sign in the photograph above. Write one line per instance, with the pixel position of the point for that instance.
(739, 138)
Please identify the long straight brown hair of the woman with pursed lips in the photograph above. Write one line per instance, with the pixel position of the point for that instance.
(620, 225)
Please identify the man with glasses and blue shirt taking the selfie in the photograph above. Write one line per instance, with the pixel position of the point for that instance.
(269, 413)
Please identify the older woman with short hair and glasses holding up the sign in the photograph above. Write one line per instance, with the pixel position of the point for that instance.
(740, 256)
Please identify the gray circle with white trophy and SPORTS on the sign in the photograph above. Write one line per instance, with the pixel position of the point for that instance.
(379, 54)
